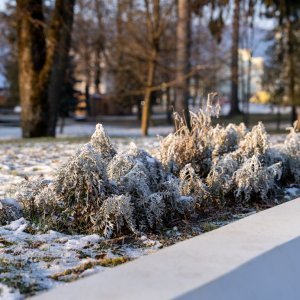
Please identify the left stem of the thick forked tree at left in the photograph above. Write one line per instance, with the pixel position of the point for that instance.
(32, 57)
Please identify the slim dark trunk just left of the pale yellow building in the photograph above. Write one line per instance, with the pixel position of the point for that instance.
(235, 60)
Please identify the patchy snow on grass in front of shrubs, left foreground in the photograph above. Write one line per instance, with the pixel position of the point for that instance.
(34, 262)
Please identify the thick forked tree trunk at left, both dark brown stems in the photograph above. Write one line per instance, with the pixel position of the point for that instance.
(42, 57)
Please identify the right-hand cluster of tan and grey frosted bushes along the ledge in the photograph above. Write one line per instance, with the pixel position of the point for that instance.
(220, 165)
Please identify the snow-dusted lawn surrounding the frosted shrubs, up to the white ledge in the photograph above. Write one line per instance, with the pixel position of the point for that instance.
(31, 261)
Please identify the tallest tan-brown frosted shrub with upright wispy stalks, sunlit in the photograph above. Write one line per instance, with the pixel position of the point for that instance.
(200, 145)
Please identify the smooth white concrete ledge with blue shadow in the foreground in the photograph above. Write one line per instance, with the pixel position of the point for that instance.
(254, 258)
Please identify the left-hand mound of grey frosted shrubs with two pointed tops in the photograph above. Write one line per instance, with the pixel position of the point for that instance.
(100, 190)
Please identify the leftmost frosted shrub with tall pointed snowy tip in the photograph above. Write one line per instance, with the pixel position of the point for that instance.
(72, 200)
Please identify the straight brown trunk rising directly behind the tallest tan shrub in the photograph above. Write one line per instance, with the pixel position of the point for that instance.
(182, 57)
